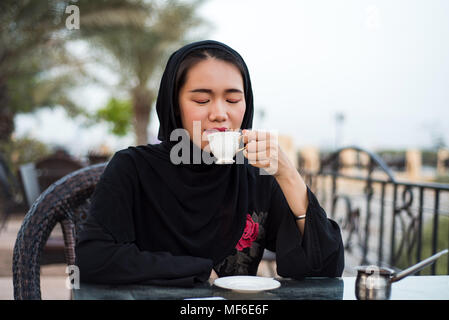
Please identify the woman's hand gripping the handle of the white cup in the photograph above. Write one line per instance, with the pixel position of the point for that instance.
(263, 151)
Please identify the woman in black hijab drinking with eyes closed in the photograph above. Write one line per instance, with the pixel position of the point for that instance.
(155, 222)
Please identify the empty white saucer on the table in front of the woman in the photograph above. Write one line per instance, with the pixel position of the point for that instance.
(247, 284)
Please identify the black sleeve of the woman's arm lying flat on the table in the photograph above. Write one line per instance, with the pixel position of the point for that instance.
(106, 252)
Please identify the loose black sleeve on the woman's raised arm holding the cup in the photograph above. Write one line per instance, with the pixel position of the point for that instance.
(318, 252)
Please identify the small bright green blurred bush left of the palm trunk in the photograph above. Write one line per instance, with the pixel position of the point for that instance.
(119, 114)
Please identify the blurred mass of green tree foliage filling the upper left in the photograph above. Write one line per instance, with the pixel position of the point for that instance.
(130, 37)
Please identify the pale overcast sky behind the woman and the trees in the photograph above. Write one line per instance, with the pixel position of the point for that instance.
(384, 64)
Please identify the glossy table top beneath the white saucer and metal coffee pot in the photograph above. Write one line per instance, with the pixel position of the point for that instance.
(410, 288)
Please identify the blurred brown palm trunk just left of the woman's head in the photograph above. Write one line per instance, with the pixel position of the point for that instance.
(142, 103)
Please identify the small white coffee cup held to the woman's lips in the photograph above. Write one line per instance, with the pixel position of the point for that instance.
(224, 145)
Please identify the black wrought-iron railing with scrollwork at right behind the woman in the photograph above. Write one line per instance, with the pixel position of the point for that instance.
(384, 218)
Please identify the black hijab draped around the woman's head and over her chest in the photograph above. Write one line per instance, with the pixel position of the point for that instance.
(193, 209)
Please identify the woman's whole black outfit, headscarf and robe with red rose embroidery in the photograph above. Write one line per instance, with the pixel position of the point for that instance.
(152, 221)
